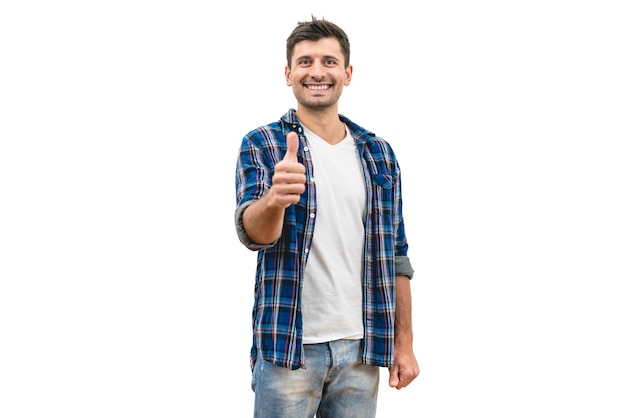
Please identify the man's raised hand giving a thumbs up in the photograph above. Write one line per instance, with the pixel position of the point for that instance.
(288, 182)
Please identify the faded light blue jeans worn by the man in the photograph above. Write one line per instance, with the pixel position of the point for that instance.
(335, 384)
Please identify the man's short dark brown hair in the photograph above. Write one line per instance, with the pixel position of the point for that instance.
(315, 30)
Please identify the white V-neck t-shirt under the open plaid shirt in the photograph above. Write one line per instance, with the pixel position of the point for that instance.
(332, 291)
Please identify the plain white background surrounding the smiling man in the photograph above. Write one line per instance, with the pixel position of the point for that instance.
(125, 292)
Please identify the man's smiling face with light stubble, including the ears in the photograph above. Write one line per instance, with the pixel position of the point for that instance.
(318, 73)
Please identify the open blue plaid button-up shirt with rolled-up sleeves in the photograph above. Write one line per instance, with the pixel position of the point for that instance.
(277, 315)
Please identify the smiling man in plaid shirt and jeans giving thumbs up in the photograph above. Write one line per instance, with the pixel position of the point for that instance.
(319, 198)
